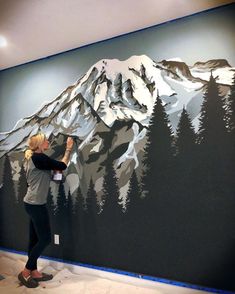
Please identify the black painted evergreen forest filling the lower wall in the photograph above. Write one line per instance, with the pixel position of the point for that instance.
(179, 220)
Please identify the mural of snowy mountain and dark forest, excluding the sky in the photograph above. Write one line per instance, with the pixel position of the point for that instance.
(150, 185)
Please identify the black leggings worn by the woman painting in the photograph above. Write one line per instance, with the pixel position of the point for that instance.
(39, 233)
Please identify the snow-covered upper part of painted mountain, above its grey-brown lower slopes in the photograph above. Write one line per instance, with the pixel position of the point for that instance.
(114, 90)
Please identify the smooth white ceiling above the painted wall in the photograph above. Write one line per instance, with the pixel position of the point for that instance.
(38, 28)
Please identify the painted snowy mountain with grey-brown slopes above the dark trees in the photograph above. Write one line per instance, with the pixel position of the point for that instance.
(108, 111)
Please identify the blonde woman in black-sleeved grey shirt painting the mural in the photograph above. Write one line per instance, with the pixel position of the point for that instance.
(38, 176)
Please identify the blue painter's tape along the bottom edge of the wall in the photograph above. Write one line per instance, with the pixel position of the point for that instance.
(121, 272)
